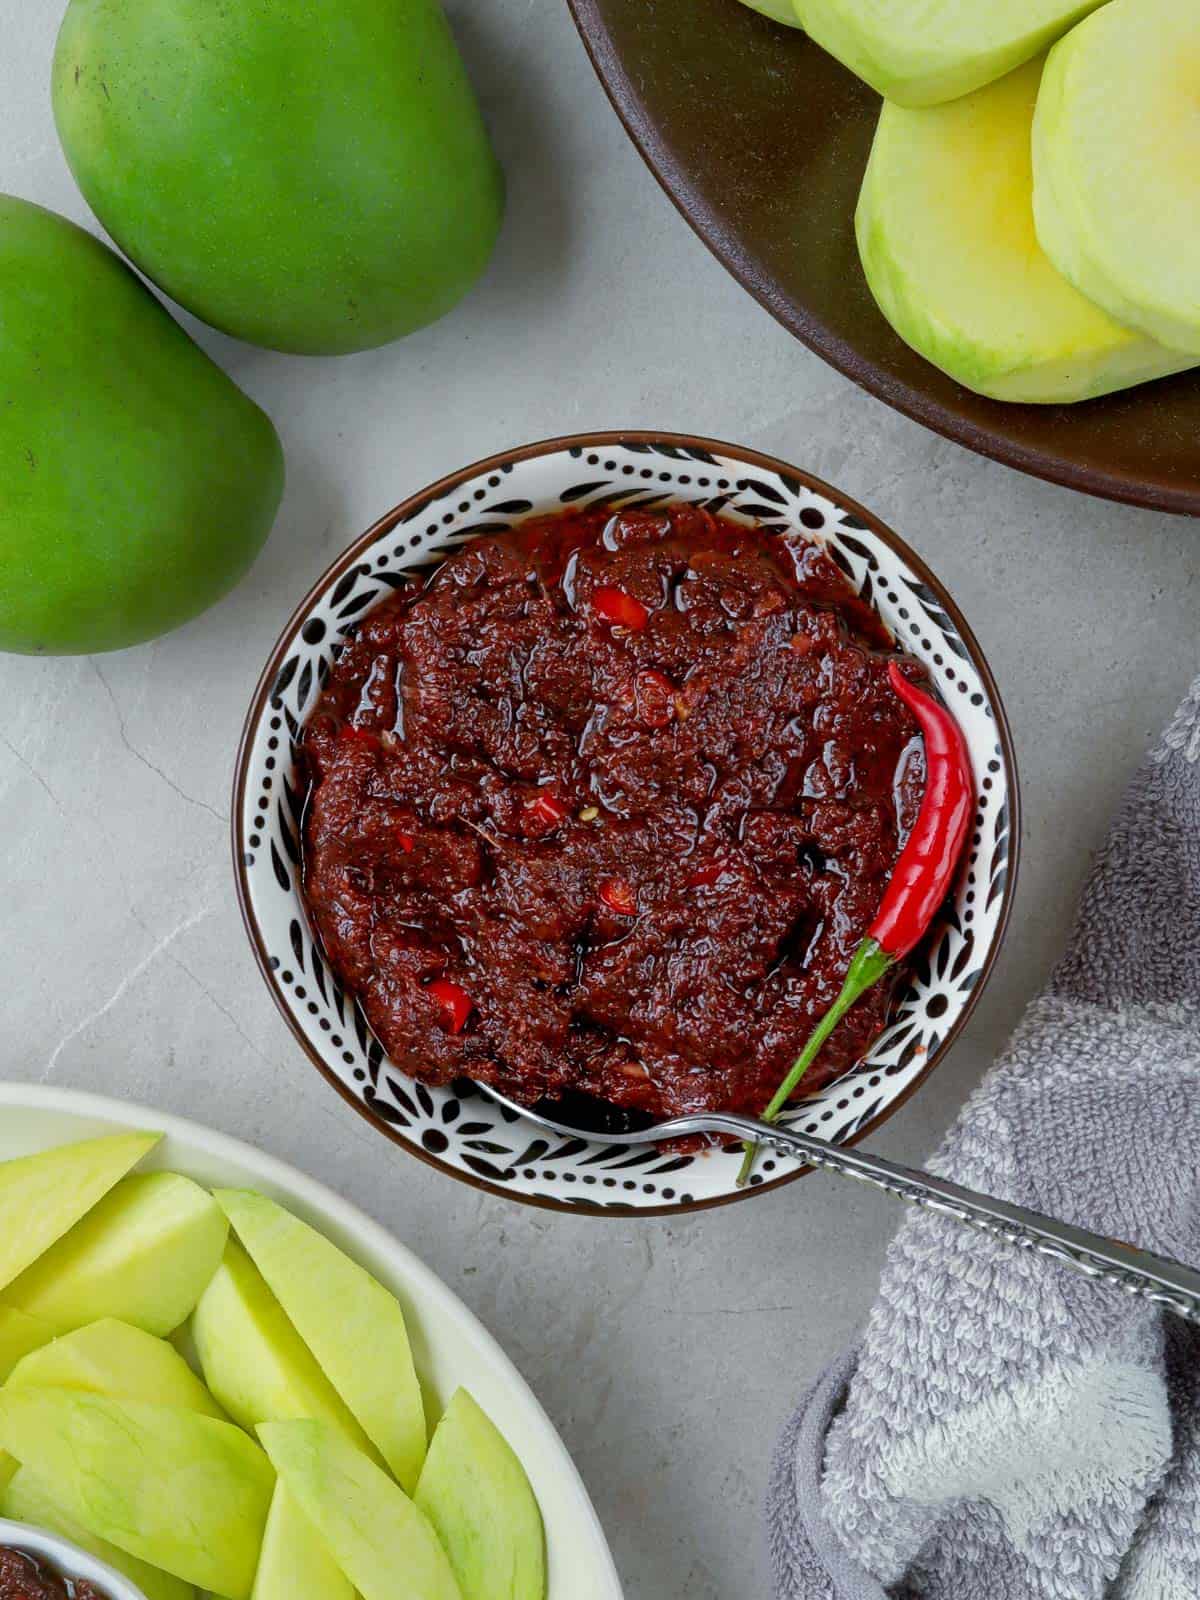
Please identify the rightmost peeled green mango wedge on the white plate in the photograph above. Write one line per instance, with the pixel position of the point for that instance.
(481, 1505)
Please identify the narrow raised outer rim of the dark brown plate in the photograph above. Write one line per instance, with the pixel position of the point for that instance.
(838, 353)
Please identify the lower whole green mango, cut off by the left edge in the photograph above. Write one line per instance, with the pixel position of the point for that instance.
(137, 481)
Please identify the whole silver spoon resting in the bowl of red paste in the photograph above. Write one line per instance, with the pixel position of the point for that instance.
(1135, 1271)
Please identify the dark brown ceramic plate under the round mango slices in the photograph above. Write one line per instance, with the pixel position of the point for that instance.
(761, 140)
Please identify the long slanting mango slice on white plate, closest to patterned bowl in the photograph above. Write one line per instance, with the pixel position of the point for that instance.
(350, 1322)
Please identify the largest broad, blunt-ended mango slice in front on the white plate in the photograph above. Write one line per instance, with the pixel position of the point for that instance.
(177, 1490)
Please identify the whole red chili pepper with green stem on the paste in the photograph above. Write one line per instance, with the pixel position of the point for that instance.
(918, 887)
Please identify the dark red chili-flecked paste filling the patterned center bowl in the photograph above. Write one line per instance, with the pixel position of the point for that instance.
(606, 806)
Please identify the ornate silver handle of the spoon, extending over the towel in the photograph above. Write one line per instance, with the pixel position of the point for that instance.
(1127, 1268)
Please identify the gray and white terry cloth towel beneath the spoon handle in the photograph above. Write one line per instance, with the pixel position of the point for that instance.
(1007, 1430)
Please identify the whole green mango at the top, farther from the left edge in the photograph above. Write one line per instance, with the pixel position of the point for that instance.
(310, 175)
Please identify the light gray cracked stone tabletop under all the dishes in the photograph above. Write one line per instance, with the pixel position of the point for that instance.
(666, 1351)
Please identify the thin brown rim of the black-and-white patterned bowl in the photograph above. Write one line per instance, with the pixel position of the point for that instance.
(442, 487)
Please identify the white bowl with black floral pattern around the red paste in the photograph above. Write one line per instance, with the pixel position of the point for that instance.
(462, 1130)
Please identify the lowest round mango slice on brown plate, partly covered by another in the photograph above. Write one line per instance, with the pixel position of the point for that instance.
(948, 246)
